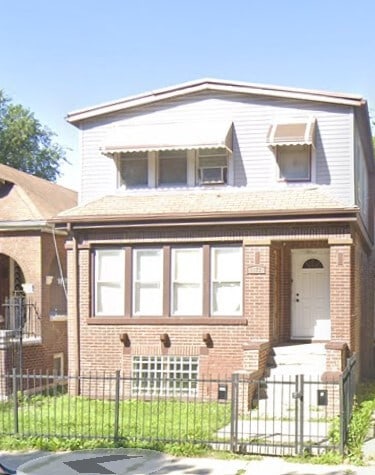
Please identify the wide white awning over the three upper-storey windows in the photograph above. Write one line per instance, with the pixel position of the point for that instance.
(168, 136)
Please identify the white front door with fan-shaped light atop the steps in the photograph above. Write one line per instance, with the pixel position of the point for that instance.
(310, 294)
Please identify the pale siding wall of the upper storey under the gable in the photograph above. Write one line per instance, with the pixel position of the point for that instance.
(252, 164)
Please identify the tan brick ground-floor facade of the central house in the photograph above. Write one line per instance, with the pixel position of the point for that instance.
(238, 345)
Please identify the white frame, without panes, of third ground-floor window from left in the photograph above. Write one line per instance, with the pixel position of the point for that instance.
(174, 282)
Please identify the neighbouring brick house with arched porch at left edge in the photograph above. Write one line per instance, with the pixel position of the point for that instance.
(32, 267)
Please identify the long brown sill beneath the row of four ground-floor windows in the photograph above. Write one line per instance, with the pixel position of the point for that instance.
(167, 321)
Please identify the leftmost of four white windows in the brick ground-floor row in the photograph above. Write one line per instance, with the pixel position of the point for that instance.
(109, 282)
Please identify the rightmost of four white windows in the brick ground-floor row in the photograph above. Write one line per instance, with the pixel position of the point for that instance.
(226, 278)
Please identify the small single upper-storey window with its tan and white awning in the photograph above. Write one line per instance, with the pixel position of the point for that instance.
(293, 142)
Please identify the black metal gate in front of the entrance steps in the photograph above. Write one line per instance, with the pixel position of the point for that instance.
(287, 416)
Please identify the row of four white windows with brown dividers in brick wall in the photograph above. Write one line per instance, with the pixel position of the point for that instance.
(168, 281)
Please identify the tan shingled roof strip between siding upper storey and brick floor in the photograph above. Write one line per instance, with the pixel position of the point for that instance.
(193, 203)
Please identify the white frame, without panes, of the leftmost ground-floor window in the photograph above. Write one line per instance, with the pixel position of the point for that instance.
(118, 284)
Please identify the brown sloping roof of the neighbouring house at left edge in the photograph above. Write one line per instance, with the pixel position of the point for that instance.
(25, 197)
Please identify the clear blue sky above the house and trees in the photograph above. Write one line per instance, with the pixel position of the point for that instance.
(59, 56)
